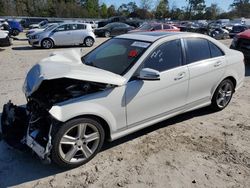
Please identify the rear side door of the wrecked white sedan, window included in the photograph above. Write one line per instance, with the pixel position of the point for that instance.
(206, 64)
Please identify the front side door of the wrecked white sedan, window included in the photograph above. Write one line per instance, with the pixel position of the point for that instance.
(148, 100)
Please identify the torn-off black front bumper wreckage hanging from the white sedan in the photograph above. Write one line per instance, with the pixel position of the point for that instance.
(21, 131)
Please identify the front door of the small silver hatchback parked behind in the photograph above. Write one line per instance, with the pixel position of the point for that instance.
(62, 35)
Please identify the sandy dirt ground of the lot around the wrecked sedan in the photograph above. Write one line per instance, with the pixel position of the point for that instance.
(197, 149)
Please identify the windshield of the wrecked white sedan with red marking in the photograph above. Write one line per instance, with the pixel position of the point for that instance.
(116, 55)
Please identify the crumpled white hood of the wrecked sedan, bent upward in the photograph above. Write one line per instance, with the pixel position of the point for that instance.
(67, 64)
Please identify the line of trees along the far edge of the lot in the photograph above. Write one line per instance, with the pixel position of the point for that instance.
(194, 9)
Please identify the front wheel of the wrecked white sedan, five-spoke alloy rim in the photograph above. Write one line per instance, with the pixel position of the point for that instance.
(72, 147)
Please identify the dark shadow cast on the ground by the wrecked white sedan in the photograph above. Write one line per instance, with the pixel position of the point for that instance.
(17, 167)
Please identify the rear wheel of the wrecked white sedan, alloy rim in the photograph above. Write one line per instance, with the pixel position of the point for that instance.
(222, 95)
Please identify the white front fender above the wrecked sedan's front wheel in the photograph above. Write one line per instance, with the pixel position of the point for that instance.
(108, 105)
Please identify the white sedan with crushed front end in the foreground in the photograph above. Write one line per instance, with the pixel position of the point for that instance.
(129, 82)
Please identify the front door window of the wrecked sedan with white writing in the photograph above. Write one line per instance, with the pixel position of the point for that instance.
(166, 56)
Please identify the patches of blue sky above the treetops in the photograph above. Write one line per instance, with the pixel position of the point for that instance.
(223, 4)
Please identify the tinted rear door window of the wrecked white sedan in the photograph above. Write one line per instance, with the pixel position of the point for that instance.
(197, 49)
